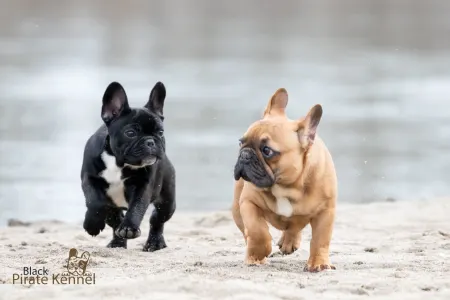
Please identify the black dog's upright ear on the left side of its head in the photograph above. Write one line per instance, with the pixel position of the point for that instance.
(115, 102)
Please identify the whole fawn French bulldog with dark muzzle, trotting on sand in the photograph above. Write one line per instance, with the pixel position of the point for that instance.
(285, 176)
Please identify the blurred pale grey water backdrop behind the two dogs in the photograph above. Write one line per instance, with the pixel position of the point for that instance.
(381, 70)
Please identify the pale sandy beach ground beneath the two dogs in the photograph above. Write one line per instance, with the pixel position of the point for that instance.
(390, 250)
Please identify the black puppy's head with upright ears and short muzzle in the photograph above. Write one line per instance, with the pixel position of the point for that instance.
(136, 135)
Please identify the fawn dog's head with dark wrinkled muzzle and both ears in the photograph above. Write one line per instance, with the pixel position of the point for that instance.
(273, 148)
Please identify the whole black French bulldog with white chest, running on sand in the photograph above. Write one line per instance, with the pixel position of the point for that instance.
(125, 167)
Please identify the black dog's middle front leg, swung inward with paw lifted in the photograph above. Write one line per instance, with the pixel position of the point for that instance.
(129, 228)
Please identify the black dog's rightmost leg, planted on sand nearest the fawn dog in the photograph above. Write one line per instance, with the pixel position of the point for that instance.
(164, 209)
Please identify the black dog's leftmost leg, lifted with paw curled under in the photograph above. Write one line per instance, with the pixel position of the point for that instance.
(96, 203)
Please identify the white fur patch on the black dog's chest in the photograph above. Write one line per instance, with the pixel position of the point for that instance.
(113, 176)
